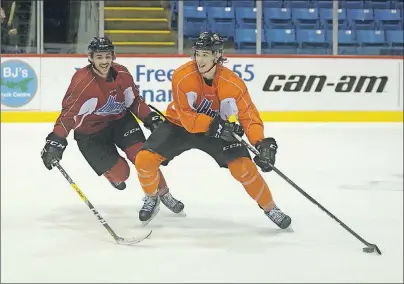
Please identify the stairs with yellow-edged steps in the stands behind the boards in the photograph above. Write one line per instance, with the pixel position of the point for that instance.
(139, 27)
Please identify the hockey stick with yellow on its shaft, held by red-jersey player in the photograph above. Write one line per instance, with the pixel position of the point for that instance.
(119, 240)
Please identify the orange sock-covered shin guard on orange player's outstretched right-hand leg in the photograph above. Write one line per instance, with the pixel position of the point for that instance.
(245, 171)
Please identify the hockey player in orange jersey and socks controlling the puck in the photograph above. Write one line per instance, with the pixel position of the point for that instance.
(205, 95)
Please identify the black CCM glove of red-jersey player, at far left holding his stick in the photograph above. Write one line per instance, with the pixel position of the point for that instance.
(53, 150)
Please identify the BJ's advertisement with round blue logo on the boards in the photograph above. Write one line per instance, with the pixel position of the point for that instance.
(20, 84)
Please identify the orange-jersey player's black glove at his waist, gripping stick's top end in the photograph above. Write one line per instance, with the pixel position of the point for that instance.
(223, 129)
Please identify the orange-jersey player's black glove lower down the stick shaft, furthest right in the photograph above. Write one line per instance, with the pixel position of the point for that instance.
(267, 148)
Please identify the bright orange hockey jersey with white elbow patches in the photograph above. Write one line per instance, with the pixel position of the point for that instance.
(195, 103)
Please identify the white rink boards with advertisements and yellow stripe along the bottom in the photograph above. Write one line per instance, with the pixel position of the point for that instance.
(284, 89)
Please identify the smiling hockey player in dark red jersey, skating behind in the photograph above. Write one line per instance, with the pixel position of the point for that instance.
(99, 106)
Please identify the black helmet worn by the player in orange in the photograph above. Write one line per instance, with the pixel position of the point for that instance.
(210, 41)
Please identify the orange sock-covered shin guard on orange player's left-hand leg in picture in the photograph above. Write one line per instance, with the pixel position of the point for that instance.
(147, 165)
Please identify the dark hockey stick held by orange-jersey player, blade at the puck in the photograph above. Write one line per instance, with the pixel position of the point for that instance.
(369, 247)
